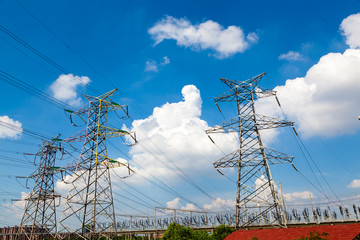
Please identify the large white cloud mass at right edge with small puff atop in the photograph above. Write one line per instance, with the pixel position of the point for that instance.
(324, 102)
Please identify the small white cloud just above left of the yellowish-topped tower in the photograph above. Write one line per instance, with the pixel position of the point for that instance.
(65, 88)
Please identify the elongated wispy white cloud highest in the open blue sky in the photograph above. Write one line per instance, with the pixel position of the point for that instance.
(225, 42)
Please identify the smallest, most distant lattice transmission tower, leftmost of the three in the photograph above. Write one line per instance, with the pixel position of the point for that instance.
(40, 208)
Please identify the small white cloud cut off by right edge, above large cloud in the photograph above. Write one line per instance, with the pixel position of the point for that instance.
(350, 28)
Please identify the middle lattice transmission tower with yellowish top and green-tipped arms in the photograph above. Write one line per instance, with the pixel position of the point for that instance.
(89, 210)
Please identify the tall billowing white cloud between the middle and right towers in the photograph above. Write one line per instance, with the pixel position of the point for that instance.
(174, 137)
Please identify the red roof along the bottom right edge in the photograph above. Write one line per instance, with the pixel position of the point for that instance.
(336, 232)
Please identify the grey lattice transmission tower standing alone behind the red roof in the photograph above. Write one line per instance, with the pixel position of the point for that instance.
(256, 190)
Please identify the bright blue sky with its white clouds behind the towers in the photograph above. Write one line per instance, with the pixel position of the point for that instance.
(151, 50)
